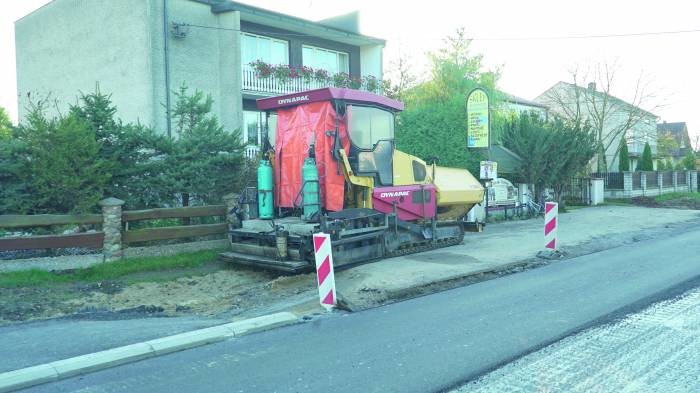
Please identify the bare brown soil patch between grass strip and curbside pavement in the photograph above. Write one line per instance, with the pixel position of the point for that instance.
(208, 290)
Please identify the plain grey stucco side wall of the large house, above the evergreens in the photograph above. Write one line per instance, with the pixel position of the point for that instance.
(68, 46)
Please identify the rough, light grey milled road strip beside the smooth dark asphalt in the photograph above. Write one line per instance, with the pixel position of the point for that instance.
(657, 350)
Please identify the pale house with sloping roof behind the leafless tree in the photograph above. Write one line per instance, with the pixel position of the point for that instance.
(615, 117)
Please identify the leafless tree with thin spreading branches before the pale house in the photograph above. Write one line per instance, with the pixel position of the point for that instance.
(611, 118)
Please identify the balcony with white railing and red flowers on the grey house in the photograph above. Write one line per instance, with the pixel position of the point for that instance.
(272, 84)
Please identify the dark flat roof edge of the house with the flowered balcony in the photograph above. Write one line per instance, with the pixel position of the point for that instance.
(326, 29)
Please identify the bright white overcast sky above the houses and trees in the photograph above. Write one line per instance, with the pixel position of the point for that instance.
(669, 62)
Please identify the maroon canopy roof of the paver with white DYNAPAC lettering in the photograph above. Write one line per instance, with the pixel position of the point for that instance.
(327, 94)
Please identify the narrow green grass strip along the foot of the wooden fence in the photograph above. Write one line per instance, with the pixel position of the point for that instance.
(108, 271)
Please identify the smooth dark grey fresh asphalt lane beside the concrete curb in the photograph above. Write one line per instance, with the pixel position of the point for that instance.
(431, 343)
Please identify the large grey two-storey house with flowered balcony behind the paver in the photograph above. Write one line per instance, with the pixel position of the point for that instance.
(140, 51)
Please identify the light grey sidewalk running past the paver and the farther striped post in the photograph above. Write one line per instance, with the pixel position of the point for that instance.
(500, 247)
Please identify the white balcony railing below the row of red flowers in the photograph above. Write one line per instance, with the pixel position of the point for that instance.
(271, 85)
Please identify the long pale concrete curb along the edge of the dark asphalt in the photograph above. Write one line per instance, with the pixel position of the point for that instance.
(66, 368)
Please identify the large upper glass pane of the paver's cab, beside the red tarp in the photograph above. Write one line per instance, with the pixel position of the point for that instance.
(369, 125)
